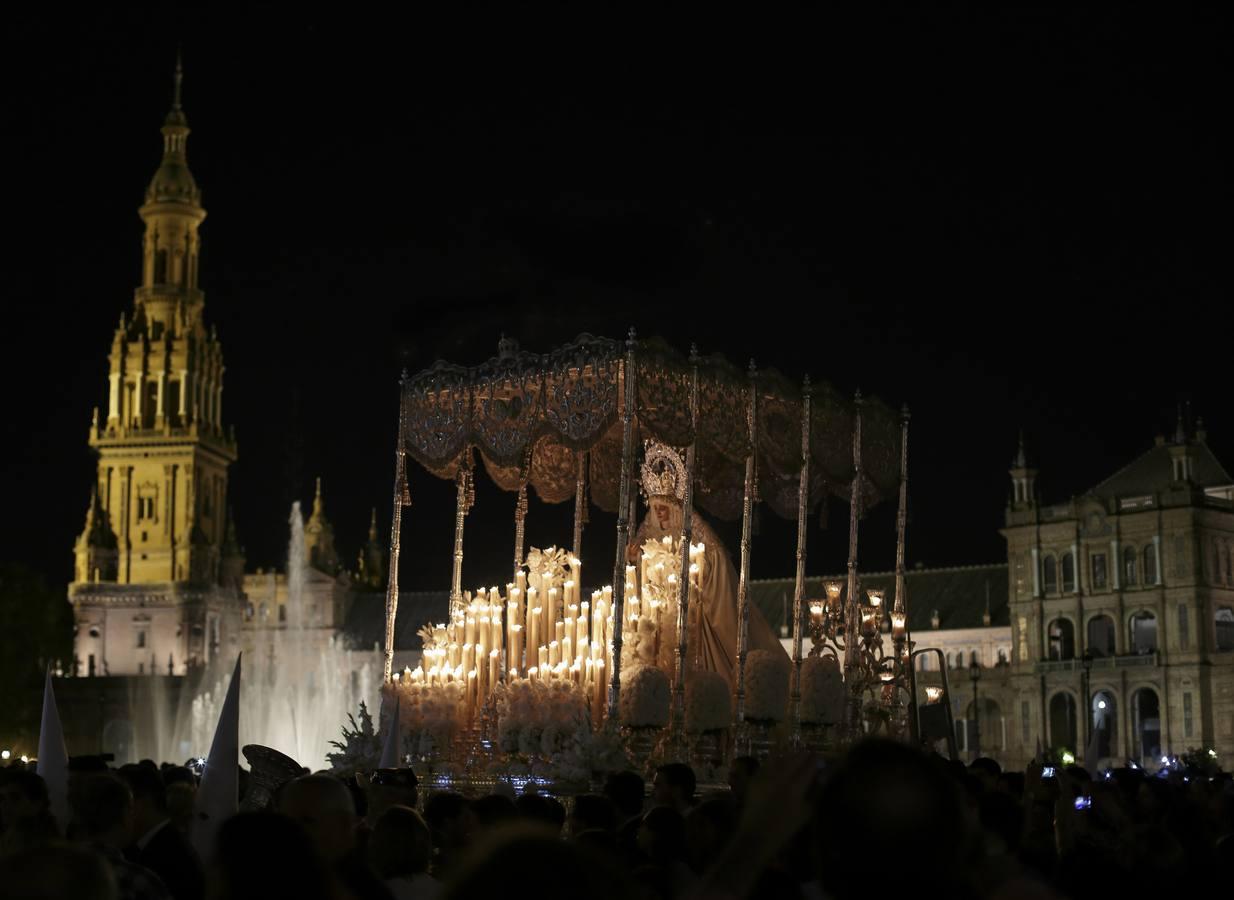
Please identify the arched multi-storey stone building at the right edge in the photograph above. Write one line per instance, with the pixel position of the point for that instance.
(1122, 608)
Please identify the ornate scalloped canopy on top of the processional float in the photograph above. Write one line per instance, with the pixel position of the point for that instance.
(529, 414)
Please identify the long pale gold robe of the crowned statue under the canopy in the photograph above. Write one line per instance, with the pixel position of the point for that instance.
(714, 627)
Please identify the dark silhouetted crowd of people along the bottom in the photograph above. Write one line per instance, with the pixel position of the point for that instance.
(883, 818)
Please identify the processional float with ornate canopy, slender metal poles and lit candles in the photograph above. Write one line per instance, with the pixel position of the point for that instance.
(568, 424)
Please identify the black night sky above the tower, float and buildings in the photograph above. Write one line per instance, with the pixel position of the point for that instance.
(1008, 219)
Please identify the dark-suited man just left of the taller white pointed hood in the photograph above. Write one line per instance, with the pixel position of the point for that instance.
(157, 844)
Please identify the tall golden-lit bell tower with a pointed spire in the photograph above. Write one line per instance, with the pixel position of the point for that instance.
(161, 513)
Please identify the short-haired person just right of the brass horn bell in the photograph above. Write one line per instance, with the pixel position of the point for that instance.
(324, 808)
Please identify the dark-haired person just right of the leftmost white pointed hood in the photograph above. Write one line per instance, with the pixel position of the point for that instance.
(103, 819)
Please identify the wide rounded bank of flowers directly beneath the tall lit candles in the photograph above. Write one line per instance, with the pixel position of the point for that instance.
(540, 718)
